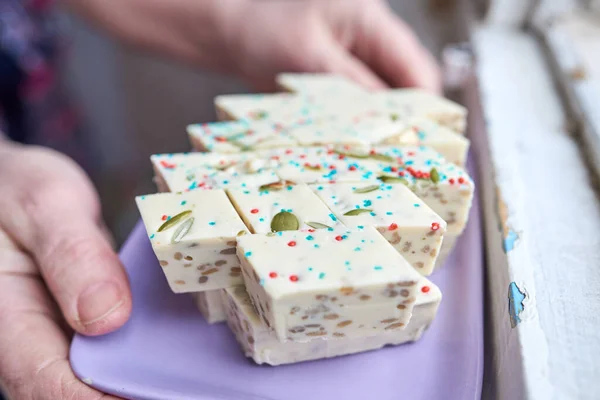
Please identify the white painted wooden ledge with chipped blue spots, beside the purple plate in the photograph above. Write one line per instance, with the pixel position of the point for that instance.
(542, 224)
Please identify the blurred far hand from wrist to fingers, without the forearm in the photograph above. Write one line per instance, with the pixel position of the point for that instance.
(360, 39)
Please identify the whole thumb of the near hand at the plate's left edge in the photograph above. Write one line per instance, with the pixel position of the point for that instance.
(57, 225)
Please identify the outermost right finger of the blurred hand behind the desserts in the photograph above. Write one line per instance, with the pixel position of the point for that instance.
(391, 48)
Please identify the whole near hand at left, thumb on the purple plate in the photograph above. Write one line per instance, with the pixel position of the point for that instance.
(57, 272)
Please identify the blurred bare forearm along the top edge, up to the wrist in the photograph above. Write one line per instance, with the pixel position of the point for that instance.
(200, 32)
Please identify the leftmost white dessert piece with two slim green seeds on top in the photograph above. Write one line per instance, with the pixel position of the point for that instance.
(193, 235)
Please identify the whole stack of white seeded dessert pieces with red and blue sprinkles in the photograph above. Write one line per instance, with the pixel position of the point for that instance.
(309, 220)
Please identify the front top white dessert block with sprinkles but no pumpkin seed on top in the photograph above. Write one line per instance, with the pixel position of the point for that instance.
(327, 284)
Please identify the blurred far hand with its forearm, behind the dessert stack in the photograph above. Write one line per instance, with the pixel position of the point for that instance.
(360, 39)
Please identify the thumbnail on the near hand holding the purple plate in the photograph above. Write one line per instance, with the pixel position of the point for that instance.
(98, 302)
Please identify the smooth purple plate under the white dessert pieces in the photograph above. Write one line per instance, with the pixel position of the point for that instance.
(167, 351)
